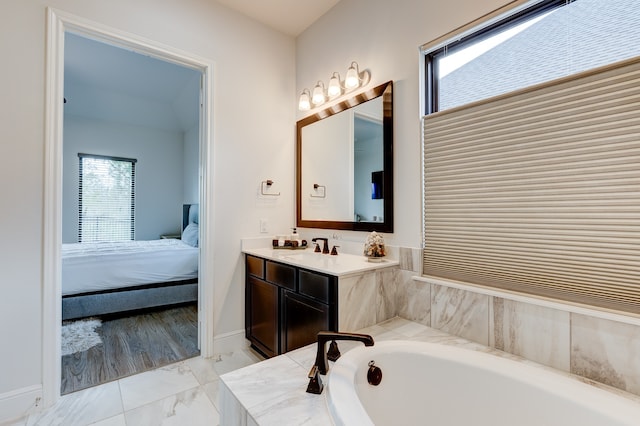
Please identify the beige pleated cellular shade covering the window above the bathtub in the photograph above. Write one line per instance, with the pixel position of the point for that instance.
(539, 191)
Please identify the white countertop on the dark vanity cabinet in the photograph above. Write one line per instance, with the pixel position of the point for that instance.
(340, 265)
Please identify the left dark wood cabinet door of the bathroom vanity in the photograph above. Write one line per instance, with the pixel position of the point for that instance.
(262, 328)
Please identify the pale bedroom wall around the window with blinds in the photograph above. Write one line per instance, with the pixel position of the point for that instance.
(159, 172)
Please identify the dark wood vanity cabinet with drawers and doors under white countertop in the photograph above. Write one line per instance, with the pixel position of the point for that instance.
(286, 306)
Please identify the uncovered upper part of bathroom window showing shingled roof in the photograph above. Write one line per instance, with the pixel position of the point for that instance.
(539, 43)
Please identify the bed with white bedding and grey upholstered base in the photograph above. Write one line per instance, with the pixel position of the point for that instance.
(109, 278)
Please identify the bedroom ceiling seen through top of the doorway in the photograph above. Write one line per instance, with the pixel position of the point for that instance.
(110, 83)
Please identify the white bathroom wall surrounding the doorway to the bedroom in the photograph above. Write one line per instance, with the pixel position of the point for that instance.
(253, 139)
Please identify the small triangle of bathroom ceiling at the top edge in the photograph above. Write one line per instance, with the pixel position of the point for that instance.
(288, 16)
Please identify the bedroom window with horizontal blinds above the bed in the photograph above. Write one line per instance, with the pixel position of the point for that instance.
(106, 198)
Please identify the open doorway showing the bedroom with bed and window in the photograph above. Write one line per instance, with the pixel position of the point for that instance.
(130, 164)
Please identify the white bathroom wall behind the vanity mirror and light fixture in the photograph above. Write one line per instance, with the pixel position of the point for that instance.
(384, 37)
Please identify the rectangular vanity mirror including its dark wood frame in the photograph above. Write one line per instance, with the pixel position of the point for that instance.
(344, 164)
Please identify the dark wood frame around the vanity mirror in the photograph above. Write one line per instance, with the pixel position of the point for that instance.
(386, 91)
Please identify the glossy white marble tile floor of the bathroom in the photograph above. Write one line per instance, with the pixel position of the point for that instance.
(185, 393)
